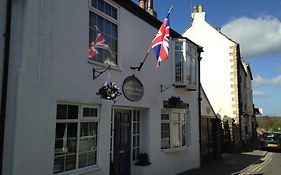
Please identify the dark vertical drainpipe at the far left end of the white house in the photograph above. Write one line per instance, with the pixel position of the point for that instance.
(7, 36)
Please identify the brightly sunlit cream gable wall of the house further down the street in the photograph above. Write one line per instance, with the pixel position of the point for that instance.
(215, 64)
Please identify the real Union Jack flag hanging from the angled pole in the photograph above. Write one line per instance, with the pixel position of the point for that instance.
(160, 44)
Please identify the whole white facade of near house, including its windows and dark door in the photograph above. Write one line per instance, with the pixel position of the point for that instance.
(55, 121)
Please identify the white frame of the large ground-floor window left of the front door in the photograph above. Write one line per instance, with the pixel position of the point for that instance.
(78, 121)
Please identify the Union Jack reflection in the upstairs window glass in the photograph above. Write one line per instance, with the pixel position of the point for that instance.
(97, 46)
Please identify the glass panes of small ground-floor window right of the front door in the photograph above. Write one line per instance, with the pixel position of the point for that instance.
(173, 131)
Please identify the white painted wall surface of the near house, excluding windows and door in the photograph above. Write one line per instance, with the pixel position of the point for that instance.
(58, 71)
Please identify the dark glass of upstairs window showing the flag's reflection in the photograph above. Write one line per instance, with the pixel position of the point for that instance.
(105, 24)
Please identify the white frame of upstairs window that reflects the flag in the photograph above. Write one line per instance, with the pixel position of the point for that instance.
(111, 19)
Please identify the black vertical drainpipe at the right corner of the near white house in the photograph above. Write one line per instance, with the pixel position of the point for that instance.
(199, 102)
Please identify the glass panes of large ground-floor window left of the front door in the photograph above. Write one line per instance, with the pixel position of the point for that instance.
(68, 138)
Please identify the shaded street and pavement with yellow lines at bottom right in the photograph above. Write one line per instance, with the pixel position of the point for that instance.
(254, 162)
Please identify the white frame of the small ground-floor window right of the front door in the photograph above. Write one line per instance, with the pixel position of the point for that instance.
(172, 115)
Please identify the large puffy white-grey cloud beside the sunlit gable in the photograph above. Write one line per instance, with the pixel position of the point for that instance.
(258, 36)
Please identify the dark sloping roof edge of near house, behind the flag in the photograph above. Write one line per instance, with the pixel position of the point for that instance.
(147, 17)
